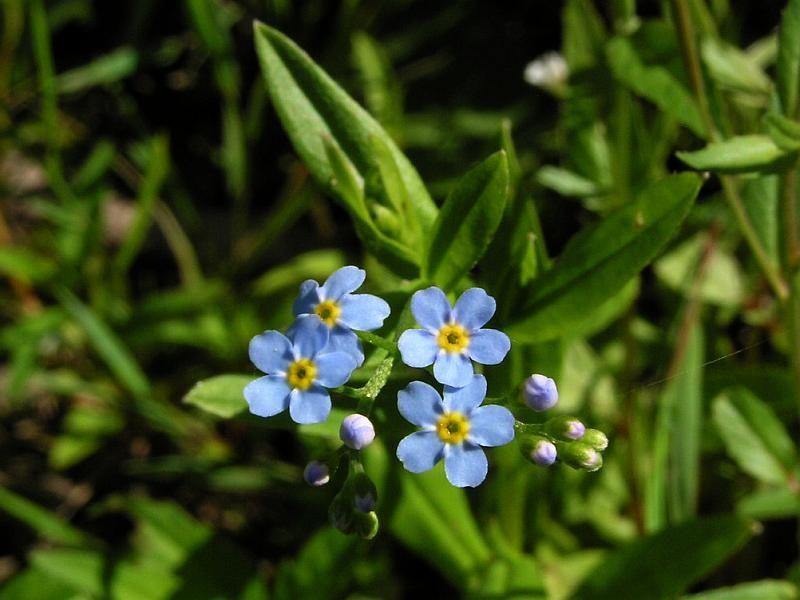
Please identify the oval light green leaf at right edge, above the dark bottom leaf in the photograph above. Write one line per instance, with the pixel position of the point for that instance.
(753, 435)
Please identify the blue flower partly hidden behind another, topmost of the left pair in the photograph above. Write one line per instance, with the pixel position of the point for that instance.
(341, 310)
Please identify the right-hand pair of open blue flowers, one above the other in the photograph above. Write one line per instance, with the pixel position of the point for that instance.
(455, 426)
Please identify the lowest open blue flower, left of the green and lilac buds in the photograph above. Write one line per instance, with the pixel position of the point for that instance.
(454, 429)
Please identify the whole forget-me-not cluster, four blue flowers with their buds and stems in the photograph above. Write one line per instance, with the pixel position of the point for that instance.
(321, 349)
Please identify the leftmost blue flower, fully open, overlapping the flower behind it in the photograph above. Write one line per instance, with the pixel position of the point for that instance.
(299, 368)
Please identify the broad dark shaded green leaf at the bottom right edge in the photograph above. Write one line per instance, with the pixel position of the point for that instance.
(665, 564)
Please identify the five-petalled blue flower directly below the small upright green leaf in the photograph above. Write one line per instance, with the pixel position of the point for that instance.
(451, 337)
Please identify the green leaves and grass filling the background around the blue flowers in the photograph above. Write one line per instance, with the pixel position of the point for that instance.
(154, 216)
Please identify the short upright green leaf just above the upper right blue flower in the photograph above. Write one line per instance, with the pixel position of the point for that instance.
(467, 222)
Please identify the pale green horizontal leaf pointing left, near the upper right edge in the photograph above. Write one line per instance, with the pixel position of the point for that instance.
(739, 154)
